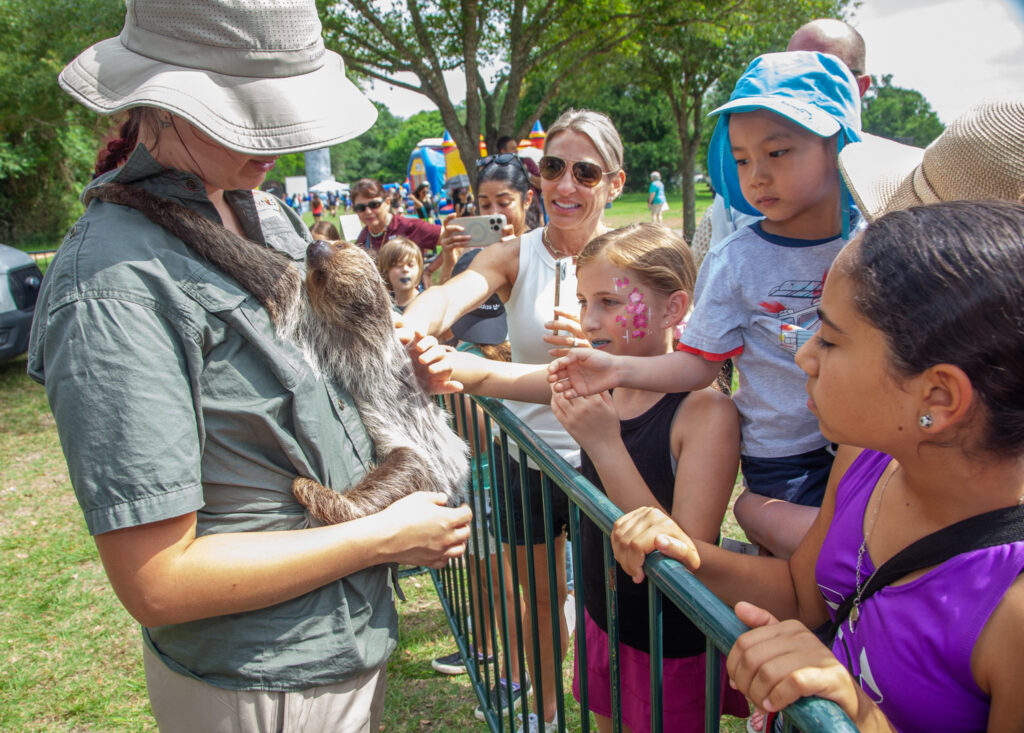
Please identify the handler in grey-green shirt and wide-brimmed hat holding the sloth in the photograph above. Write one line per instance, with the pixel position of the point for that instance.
(184, 454)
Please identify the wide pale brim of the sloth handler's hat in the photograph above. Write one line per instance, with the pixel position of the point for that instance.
(257, 116)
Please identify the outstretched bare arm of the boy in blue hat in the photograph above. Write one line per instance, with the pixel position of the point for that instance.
(584, 372)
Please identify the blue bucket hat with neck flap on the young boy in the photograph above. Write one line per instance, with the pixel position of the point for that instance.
(815, 91)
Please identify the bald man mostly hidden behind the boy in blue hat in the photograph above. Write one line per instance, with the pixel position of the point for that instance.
(825, 35)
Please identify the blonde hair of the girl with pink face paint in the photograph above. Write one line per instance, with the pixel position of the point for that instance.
(660, 257)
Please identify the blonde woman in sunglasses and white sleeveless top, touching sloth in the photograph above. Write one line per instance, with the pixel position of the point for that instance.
(582, 170)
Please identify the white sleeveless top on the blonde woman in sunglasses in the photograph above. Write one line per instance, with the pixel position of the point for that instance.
(531, 305)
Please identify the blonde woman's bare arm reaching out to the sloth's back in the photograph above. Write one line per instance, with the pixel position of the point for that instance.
(494, 271)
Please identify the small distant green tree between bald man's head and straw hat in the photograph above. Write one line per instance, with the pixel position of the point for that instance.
(900, 114)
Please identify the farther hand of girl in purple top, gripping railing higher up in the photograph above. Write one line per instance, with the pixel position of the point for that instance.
(644, 531)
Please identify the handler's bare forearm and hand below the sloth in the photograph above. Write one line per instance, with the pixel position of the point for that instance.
(163, 574)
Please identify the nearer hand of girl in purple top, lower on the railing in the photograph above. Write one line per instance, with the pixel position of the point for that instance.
(778, 663)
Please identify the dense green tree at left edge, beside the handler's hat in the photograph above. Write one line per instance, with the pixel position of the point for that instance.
(48, 142)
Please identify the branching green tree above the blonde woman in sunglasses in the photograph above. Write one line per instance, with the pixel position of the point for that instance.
(428, 38)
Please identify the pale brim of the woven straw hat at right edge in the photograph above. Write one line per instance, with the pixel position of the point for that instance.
(880, 176)
